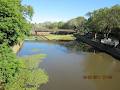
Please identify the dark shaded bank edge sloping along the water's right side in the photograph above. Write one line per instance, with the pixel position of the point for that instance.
(115, 52)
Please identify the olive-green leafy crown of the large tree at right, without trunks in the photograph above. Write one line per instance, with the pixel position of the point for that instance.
(105, 19)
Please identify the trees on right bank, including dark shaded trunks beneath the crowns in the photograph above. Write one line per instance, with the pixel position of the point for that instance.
(103, 23)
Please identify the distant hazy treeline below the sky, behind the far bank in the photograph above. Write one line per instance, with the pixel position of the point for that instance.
(71, 24)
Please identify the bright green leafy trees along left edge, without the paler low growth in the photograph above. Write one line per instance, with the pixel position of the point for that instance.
(13, 27)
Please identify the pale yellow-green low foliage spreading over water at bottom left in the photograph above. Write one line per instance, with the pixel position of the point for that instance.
(30, 76)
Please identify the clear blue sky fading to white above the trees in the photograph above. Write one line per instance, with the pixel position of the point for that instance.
(63, 10)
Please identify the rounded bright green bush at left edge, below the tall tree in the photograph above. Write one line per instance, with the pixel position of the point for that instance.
(9, 66)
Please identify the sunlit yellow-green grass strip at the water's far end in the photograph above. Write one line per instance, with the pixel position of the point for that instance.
(52, 37)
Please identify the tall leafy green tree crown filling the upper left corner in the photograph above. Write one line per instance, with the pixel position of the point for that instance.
(13, 23)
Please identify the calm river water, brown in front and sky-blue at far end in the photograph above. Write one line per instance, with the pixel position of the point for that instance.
(73, 69)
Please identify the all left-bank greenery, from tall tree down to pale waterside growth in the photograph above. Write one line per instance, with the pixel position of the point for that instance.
(17, 73)
